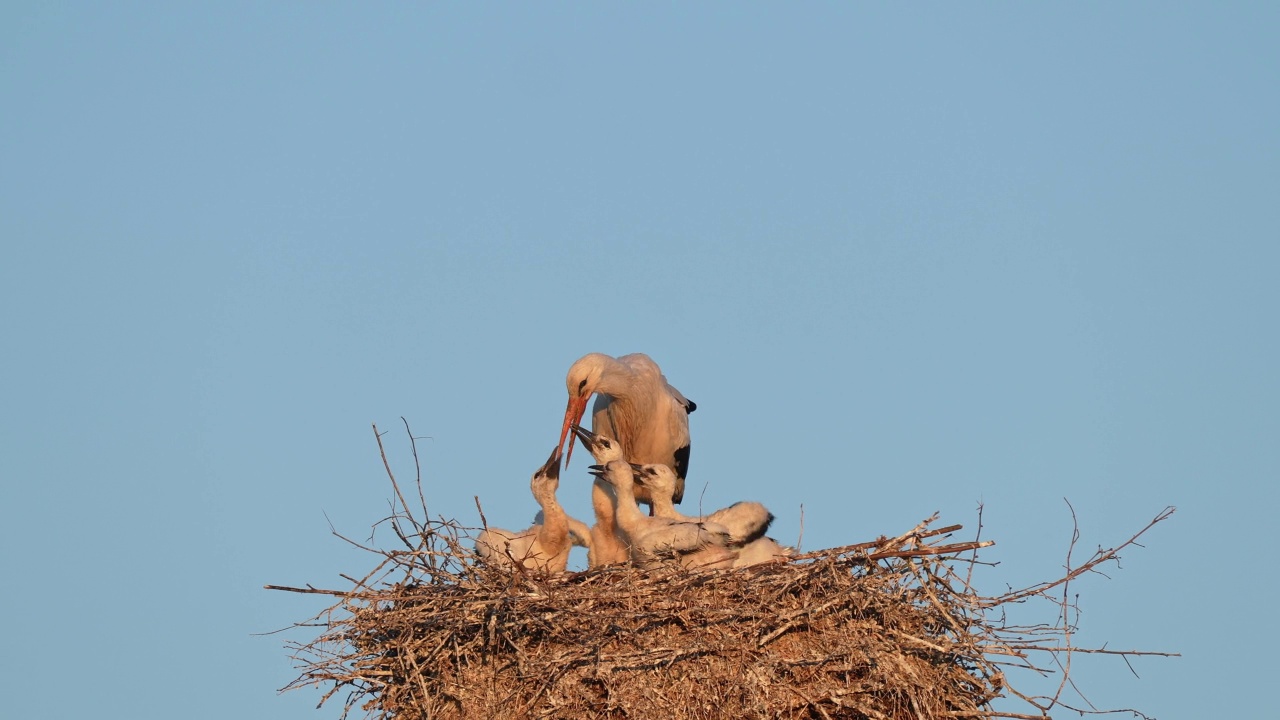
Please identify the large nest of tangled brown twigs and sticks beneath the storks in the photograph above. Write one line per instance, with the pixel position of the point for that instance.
(885, 630)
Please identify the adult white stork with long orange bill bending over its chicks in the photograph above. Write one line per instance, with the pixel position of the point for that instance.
(637, 407)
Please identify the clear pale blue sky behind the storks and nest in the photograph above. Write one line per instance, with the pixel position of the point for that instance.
(904, 258)
